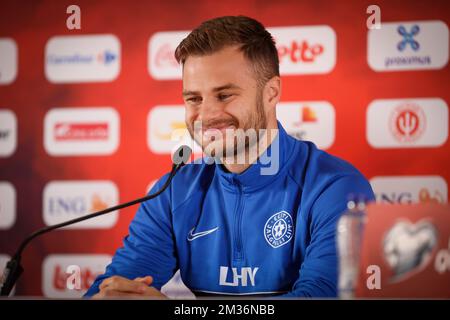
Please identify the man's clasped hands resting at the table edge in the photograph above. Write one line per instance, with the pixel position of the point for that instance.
(117, 286)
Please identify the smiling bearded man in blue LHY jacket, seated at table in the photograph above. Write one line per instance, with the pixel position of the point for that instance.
(231, 226)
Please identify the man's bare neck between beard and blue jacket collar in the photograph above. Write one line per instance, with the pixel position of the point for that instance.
(252, 153)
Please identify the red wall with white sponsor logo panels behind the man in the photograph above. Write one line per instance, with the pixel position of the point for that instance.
(89, 118)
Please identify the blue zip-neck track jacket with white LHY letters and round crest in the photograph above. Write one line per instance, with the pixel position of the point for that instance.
(248, 233)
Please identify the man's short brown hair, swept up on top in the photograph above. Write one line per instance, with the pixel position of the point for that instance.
(256, 43)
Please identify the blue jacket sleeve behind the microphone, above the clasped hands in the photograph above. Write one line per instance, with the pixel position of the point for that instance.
(149, 248)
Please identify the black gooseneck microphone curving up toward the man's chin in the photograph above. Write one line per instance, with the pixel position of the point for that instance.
(13, 268)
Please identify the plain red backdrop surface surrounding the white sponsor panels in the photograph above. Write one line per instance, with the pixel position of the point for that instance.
(349, 87)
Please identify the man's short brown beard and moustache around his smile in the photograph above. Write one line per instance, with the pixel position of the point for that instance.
(255, 120)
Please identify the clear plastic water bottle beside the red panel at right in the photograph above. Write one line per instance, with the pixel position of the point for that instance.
(350, 230)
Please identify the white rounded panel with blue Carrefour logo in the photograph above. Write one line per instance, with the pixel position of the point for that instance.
(87, 58)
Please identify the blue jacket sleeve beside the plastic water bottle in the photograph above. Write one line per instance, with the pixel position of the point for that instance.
(318, 273)
